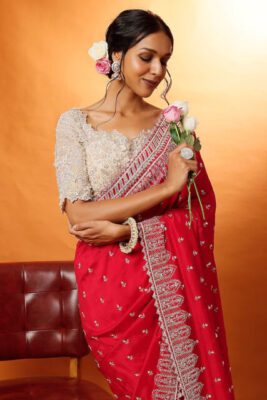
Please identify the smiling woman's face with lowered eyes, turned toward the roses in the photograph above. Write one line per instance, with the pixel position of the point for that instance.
(145, 64)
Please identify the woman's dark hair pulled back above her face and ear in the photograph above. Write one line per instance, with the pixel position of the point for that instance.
(130, 27)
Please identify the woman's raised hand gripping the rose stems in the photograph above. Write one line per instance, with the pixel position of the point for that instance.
(178, 169)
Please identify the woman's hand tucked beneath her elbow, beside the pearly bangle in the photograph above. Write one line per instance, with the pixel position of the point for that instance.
(100, 232)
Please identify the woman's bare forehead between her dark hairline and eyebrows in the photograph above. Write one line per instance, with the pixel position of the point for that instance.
(158, 41)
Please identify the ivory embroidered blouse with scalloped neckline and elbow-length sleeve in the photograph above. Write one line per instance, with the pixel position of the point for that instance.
(87, 160)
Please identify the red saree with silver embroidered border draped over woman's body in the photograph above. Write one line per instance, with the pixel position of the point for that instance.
(153, 318)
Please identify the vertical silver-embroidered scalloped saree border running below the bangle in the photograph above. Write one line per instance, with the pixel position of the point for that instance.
(179, 378)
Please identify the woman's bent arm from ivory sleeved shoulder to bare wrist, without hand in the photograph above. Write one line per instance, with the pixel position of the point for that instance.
(75, 190)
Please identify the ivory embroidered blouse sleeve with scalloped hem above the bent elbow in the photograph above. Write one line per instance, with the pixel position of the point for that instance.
(70, 161)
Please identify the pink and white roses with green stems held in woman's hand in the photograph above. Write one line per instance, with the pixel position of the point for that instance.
(181, 129)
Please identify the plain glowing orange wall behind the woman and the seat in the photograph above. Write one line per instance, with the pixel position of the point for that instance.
(218, 66)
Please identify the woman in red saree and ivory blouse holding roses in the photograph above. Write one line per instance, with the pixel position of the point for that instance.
(151, 312)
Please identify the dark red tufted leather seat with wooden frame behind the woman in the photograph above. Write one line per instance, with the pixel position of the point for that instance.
(39, 318)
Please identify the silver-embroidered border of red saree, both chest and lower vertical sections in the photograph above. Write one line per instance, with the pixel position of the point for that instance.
(178, 375)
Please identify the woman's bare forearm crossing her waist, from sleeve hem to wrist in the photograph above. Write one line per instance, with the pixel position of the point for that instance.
(117, 210)
